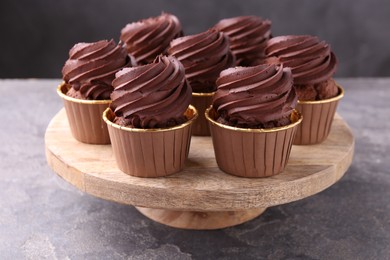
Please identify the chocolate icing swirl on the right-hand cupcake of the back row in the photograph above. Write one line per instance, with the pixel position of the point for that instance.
(247, 35)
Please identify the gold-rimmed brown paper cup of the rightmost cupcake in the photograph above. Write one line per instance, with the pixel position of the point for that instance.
(317, 119)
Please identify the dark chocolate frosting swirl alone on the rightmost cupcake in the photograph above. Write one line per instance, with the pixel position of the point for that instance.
(310, 59)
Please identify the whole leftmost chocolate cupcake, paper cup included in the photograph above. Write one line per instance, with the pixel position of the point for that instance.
(86, 89)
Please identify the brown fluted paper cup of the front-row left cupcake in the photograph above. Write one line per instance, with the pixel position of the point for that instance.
(150, 152)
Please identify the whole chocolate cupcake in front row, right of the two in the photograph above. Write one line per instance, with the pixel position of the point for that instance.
(253, 121)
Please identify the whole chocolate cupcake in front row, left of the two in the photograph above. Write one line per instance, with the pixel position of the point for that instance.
(149, 119)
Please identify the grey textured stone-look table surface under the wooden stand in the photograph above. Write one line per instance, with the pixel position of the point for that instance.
(42, 216)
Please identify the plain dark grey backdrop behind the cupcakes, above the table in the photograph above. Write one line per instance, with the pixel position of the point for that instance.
(36, 35)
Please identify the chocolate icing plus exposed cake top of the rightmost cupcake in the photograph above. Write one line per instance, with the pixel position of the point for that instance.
(311, 61)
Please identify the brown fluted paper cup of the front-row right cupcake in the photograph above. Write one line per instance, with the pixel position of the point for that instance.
(249, 152)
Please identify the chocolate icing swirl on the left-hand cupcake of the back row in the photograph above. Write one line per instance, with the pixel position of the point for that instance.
(150, 37)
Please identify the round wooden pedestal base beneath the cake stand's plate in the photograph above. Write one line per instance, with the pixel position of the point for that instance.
(200, 220)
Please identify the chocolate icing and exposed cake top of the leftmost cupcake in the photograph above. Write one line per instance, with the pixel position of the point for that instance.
(91, 67)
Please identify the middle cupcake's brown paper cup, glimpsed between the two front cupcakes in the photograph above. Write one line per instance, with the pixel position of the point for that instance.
(201, 101)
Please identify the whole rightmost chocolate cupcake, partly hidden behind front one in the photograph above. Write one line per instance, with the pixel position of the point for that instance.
(313, 65)
